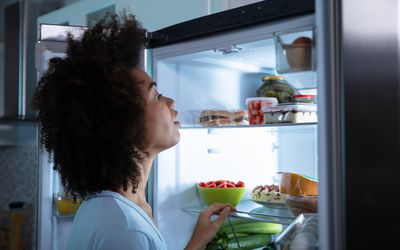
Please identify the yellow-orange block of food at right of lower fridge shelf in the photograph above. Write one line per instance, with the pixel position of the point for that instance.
(295, 184)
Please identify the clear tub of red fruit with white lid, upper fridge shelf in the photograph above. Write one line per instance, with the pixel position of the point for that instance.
(255, 106)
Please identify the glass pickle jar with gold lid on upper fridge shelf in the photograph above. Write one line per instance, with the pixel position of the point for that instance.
(276, 86)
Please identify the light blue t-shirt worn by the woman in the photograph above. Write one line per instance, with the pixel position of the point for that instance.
(107, 220)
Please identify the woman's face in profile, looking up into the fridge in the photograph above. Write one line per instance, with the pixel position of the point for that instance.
(161, 124)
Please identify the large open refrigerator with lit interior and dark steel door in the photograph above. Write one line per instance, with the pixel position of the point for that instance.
(216, 62)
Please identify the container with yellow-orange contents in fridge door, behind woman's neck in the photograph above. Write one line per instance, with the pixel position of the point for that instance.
(66, 205)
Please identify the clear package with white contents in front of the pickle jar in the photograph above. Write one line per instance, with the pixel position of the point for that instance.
(291, 113)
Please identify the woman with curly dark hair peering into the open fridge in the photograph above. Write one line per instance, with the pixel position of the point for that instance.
(103, 122)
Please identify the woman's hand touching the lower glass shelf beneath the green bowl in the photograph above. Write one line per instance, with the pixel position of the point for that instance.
(206, 228)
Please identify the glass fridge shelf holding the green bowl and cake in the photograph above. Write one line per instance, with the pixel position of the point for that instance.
(250, 210)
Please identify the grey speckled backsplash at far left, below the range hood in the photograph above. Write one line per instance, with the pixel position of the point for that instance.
(18, 177)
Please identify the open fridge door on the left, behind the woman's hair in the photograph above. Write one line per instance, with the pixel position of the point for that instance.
(56, 209)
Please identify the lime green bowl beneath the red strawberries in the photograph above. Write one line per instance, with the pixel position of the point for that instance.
(221, 195)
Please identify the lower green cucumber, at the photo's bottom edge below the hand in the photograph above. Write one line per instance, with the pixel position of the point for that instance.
(249, 242)
